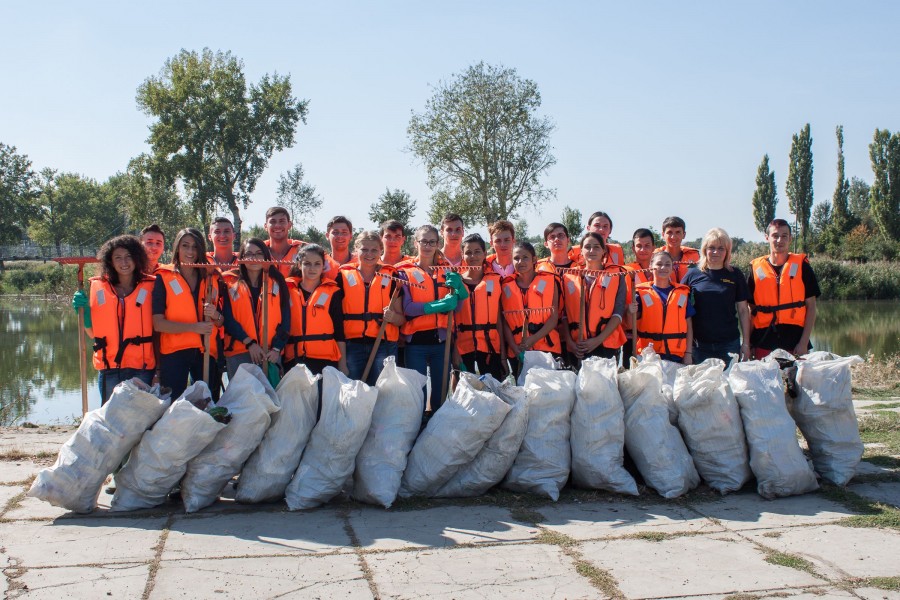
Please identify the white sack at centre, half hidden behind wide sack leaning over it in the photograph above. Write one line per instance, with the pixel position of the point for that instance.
(496, 457)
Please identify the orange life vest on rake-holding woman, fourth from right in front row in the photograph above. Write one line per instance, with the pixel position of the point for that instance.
(598, 305)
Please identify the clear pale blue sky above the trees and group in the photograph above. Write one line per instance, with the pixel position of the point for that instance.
(660, 108)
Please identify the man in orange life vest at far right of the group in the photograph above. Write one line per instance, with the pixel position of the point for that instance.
(783, 289)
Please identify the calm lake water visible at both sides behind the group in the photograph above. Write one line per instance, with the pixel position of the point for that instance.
(39, 370)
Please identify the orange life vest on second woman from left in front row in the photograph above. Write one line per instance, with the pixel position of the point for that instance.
(181, 308)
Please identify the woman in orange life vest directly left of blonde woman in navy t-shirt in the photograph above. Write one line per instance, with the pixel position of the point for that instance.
(664, 313)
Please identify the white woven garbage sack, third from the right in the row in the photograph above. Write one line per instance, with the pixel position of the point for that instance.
(710, 422)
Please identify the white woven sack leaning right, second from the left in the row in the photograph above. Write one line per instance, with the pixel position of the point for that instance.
(159, 461)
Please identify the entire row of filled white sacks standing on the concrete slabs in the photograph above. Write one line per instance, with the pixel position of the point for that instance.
(315, 437)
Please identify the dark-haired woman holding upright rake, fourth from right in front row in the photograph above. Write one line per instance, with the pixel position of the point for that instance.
(604, 303)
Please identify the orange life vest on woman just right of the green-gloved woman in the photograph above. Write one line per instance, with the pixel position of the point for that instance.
(477, 317)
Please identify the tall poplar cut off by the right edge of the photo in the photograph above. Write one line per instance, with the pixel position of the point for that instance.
(884, 197)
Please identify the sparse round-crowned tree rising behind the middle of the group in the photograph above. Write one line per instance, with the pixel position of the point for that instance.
(480, 135)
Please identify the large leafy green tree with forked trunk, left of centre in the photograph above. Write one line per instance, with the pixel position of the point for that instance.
(214, 132)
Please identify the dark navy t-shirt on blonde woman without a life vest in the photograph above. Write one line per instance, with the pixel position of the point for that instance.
(715, 293)
